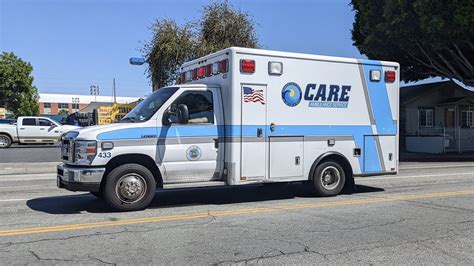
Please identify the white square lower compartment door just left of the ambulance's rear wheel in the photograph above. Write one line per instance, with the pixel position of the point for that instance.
(286, 158)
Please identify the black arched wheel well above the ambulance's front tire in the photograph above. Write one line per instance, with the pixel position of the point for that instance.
(141, 159)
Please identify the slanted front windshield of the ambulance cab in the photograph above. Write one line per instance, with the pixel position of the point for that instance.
(147, 108)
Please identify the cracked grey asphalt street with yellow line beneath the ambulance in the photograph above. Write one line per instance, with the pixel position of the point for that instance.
(425, 215)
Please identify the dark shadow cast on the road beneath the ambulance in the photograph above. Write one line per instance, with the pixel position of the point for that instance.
(85, 202)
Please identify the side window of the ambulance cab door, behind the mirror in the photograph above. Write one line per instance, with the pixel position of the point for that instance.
(200, 107)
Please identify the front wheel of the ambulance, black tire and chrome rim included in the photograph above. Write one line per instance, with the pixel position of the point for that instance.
(129, 187)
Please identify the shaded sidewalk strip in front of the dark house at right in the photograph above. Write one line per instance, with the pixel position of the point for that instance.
(443, 157)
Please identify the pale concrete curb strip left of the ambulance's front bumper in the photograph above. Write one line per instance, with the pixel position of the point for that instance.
(28, 168)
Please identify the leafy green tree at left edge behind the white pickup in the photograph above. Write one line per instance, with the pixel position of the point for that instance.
(16, 85)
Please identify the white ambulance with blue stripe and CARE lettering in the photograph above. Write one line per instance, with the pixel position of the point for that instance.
(244, 116)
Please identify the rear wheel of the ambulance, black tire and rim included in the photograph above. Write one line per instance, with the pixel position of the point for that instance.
(328, 179)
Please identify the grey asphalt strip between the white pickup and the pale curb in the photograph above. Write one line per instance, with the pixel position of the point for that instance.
(30, 153)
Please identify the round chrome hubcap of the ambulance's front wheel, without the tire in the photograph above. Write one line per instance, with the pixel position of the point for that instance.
(131, 188)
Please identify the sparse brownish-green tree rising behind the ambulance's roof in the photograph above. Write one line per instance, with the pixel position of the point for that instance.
(220, 26)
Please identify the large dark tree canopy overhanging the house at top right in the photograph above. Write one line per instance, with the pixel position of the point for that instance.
(428, 38)
